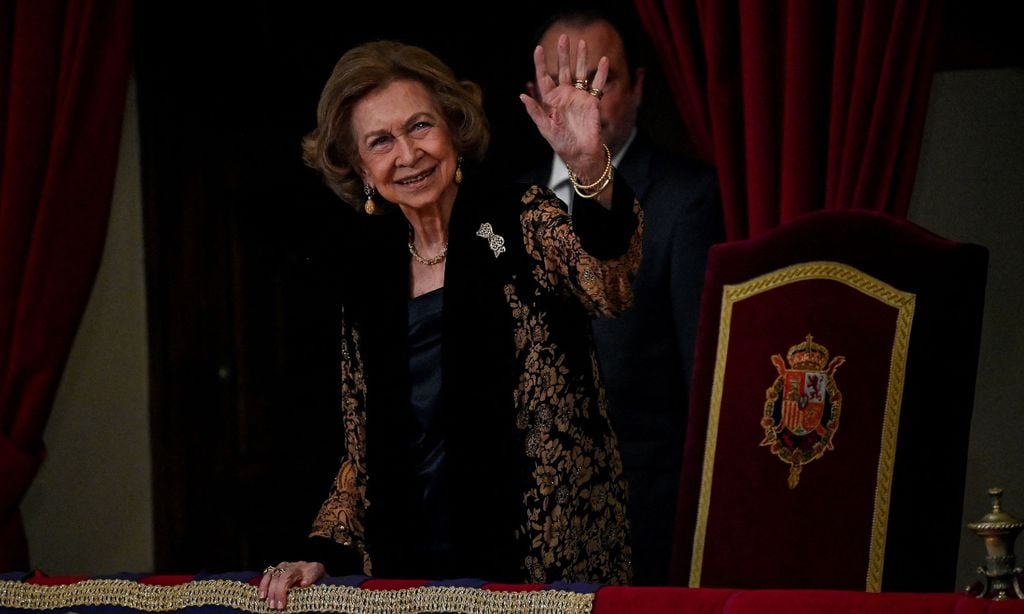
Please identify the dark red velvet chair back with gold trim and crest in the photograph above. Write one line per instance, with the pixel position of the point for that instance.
(831, 409)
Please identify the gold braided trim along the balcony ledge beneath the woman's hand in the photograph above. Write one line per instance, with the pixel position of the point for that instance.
(242, 596)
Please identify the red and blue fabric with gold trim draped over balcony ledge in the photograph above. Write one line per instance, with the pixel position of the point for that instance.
(28, 593)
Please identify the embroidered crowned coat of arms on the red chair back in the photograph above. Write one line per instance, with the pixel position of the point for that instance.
(803, 407)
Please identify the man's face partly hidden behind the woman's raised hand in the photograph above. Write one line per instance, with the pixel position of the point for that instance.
(622, 96)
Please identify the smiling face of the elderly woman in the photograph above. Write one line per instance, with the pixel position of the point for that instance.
(405, 147)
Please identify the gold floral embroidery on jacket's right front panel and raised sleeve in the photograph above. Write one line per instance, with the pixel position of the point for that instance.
(576, 528)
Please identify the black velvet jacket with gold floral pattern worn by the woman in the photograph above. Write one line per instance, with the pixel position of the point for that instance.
(538, 488)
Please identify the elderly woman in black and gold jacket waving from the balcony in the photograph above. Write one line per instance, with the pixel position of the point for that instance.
(478, 444)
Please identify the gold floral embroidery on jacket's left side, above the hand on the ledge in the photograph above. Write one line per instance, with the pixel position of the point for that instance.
(342, 516)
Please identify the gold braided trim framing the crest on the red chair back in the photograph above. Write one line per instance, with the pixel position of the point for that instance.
(905, 303)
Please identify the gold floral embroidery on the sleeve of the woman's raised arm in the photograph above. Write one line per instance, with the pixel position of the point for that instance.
(603, 286)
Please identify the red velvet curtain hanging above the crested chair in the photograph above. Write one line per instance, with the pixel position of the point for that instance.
(801, 105)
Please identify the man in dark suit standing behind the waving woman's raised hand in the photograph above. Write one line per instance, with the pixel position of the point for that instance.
(647, 355)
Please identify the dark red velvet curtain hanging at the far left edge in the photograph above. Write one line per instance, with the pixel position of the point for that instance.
(64, 74)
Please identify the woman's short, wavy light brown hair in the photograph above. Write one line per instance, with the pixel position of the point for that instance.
(331, 149)
